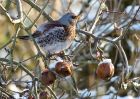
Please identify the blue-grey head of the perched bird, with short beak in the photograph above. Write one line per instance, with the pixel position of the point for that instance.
(69, 19)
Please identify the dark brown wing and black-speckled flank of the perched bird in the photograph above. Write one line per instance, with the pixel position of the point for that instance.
(53, 33)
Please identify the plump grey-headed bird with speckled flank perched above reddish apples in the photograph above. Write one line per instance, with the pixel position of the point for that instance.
(55, 36)
